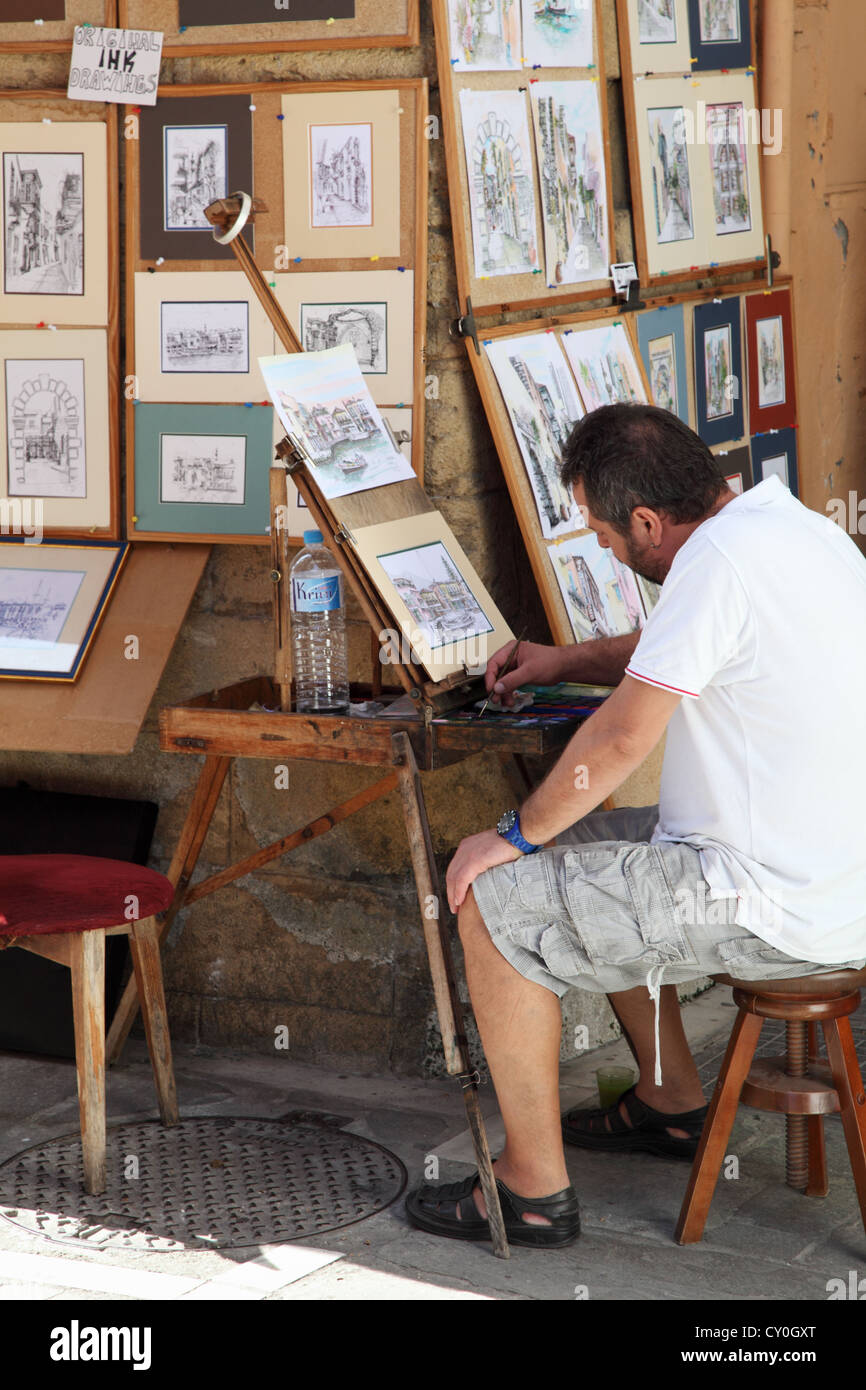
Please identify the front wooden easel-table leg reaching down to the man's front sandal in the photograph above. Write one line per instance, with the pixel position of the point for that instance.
(443, 971)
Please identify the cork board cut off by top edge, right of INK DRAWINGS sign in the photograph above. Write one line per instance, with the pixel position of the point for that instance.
(304, 24)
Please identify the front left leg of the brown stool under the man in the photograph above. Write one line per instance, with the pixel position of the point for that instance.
(718, 1128)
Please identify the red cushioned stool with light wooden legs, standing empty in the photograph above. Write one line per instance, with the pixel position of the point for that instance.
(63, 907)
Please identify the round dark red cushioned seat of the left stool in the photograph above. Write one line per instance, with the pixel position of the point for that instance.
(48, 894)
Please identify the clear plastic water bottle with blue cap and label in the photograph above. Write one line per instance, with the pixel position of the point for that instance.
(319, 630)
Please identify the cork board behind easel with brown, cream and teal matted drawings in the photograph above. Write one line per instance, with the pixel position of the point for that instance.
(195, 147)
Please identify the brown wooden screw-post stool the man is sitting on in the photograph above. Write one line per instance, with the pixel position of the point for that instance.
(799, 1086)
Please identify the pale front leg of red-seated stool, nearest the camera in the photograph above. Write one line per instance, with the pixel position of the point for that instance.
(88, 968)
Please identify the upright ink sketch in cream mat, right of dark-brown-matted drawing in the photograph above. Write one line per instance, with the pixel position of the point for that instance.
(341, 176)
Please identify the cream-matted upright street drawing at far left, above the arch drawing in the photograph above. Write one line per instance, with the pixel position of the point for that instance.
(55, 251)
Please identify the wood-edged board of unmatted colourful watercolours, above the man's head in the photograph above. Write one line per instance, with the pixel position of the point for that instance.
(539, 167)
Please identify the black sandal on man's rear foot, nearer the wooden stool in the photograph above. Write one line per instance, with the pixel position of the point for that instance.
(648, 1132)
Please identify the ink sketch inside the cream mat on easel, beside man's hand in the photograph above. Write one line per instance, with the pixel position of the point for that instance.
(440, 603)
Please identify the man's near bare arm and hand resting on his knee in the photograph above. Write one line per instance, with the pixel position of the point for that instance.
(607, 749)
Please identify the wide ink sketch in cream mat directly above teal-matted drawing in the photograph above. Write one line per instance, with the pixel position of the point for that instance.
(199, 336)
